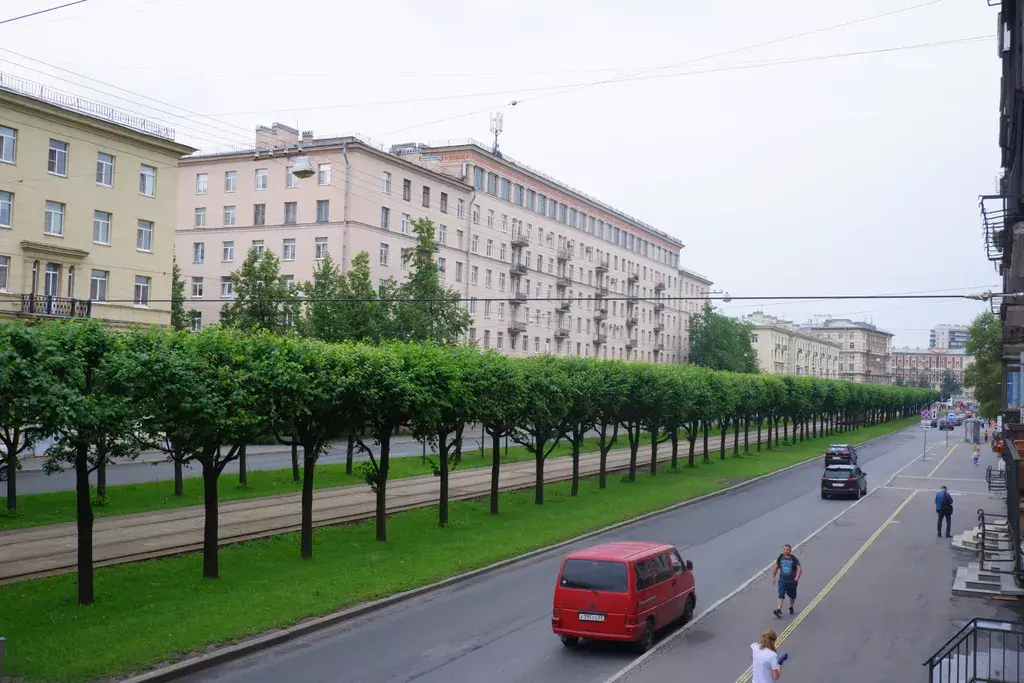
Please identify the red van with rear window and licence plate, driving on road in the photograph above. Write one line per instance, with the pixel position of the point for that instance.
(622, 591)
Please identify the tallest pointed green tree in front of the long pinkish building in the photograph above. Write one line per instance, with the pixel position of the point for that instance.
(426, 311)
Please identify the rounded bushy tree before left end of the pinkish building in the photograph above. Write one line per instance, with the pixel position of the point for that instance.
(264, 298)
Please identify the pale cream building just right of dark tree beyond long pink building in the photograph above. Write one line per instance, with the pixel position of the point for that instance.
(785, 349)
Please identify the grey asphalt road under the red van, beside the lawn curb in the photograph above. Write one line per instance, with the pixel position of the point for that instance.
(497, 629)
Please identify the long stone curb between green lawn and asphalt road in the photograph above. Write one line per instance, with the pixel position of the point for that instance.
(273, 638)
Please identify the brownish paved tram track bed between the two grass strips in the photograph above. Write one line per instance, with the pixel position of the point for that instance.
(49, 550)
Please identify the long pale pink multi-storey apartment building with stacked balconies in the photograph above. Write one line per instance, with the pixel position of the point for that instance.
(543, 269)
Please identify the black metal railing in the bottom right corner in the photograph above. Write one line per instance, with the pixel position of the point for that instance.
(983, 652)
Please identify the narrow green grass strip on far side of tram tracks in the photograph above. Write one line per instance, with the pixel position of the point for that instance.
(37, 509)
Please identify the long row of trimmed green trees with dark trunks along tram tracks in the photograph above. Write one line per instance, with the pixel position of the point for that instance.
(203, 397)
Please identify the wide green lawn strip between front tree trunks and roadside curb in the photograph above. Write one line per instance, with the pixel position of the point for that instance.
(150, 613)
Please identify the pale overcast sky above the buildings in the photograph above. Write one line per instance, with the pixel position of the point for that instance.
(845, 176)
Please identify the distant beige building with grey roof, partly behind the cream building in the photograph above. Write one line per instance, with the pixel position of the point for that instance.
(867, 351)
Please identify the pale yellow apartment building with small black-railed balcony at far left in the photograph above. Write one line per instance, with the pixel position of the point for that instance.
(88, 207)
